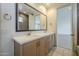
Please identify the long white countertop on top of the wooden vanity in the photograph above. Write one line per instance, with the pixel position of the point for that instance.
(27, 38)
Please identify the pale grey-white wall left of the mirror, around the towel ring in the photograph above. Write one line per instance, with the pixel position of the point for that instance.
(7, 29)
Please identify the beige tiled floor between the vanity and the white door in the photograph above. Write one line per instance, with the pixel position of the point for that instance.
(61, 52)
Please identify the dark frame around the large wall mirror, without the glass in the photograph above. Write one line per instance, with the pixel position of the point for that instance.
(16, 5)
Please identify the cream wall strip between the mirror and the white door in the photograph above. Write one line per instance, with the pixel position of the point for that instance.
(51, 19)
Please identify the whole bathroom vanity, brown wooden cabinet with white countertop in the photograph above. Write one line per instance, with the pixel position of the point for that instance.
(34, 45)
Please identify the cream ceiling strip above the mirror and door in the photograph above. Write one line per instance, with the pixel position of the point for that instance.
(52, 5)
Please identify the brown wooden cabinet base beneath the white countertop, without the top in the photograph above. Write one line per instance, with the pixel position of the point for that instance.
(39, 47)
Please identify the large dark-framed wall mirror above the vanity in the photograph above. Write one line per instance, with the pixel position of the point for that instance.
(29, 19)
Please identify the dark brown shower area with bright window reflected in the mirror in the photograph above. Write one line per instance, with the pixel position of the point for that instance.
(23, 22)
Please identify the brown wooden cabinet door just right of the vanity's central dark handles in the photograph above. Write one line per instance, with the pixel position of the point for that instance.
(44, 46)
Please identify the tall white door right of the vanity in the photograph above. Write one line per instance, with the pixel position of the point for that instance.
(64, 27)
